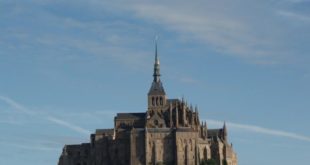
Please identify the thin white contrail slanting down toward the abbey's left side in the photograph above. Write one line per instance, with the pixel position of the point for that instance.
(54, 120)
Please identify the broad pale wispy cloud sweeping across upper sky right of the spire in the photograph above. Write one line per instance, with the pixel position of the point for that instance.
(224, 26)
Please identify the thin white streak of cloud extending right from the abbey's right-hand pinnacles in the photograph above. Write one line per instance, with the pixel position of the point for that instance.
(260, 130)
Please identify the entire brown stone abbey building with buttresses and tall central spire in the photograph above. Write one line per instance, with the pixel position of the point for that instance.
(169, 133)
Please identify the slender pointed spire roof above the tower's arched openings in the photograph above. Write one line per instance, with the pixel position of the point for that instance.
(157, 87)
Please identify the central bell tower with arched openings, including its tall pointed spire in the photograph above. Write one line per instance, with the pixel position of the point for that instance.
(156, 96)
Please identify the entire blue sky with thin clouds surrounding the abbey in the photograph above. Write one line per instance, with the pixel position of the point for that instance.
(67, 67)
